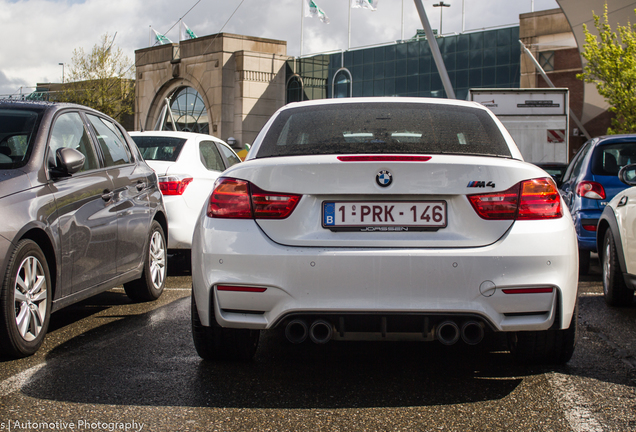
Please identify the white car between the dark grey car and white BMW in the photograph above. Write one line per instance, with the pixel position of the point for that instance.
(187, 165)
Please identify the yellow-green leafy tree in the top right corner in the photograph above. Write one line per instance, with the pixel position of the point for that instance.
(611, 66)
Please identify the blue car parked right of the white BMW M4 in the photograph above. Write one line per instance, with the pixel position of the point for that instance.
(591, 181)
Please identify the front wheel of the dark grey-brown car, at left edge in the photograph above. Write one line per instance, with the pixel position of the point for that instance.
(25, 301)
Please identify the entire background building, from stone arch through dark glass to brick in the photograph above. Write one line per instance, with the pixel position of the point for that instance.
(229, 85)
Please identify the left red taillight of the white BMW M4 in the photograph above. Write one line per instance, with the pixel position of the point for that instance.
(239, 199)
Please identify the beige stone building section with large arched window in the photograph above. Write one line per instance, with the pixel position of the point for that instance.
(225, 85)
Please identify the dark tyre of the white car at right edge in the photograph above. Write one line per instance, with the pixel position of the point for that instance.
(615, 290)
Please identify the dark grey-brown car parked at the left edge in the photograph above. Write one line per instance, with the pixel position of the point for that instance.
(81, 213)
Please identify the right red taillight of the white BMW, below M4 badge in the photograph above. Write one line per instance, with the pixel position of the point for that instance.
(527, 200)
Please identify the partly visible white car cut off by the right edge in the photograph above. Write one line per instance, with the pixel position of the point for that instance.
(616, 239)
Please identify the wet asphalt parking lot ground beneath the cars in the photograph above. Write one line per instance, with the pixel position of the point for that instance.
(109, 364)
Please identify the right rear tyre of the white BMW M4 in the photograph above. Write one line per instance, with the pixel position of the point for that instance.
(552, 346)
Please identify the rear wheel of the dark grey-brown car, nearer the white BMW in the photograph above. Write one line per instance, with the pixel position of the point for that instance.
(153, 279)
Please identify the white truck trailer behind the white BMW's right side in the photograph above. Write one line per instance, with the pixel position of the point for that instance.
(537, 119)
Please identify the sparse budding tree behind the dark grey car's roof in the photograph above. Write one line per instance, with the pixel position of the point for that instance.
(102, 79)
